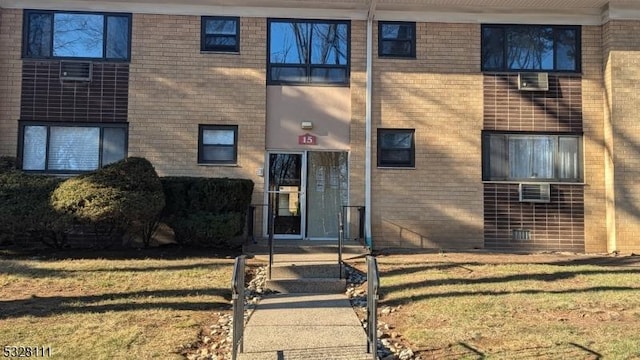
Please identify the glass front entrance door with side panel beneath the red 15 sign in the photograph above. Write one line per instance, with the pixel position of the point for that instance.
(307, 191)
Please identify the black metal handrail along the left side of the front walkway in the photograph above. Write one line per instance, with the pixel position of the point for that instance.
(237, 294)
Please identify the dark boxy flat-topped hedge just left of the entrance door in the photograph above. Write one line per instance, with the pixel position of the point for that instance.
(206, 211)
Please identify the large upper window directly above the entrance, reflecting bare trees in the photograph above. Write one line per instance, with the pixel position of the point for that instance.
(303, 52)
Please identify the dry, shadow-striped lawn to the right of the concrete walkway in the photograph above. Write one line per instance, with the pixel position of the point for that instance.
(466, 306)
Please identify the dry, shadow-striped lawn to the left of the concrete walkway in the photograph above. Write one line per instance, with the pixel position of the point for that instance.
(97, 308)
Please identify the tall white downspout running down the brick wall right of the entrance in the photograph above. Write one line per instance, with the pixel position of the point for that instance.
(368, 121)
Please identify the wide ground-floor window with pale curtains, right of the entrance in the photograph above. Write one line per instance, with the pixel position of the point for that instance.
(527, 157)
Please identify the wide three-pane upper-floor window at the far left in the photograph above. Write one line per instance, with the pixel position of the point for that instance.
(64, 35)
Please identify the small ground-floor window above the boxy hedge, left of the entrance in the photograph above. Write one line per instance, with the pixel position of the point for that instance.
(217, 144)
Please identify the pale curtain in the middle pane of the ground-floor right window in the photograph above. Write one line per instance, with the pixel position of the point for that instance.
(531, 158)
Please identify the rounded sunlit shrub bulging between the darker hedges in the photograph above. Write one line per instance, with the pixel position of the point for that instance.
(124, 196)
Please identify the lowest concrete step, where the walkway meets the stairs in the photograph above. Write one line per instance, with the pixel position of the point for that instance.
(308, 285)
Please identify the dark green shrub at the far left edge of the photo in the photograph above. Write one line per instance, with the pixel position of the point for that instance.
(26, 214)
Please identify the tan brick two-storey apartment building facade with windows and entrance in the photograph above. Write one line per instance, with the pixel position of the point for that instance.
(416, 111)
